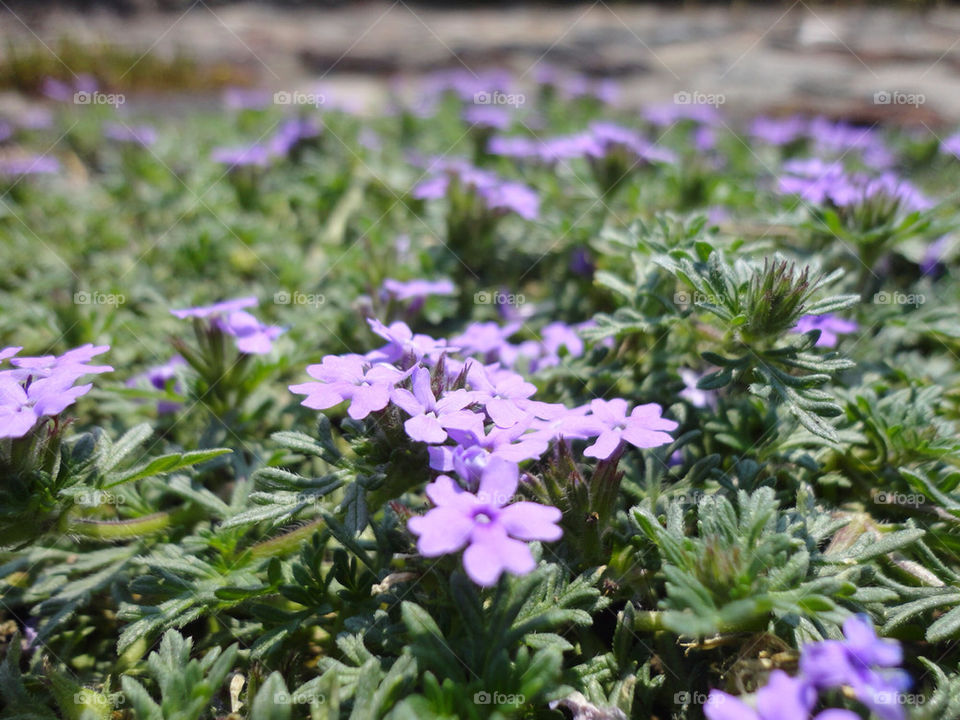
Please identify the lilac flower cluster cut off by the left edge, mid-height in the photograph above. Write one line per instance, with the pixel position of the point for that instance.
(38, 387)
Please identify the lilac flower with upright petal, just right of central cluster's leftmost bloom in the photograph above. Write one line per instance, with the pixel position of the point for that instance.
(430, 418)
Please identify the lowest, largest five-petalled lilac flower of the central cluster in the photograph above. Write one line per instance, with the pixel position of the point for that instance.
(494, 533)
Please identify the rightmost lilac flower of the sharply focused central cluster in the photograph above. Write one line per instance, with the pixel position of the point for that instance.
(645, 427)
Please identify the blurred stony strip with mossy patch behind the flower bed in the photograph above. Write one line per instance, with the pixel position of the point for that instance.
(862, 62)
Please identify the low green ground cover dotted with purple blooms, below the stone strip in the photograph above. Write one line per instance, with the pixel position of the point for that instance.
(505, 401)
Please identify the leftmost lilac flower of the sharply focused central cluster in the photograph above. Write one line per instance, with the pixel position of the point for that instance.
(351, 377)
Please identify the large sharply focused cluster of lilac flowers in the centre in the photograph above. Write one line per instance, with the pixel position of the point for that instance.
(480, 421)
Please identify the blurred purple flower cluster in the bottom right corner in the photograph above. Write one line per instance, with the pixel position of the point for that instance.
(861, 663)
